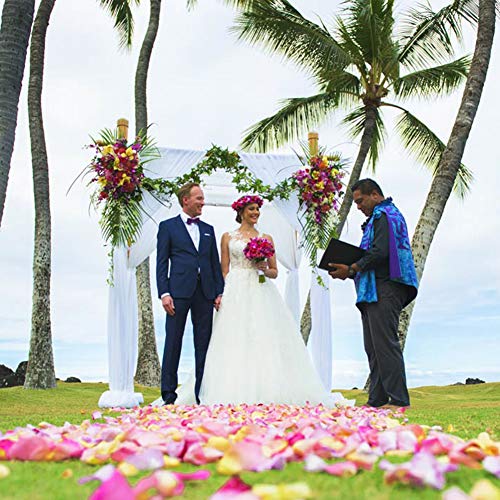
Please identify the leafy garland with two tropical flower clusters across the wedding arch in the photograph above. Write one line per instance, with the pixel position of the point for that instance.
(121, 217)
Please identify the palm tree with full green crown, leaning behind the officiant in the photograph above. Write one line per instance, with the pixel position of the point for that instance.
(357, 67)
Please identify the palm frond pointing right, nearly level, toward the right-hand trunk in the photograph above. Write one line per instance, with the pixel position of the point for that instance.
(439, 80)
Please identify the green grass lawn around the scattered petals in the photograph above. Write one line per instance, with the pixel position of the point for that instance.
(468, 409)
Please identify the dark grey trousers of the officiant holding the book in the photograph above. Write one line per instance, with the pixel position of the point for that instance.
(380, 333)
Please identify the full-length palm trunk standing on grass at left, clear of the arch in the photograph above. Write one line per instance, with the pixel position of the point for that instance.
(40, 372)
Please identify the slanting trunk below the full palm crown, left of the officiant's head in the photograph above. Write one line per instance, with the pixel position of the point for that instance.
(345, 207)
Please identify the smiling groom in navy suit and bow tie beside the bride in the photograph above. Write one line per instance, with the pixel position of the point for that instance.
(189, 278)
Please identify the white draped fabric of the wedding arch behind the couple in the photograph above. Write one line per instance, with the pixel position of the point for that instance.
(281, 218)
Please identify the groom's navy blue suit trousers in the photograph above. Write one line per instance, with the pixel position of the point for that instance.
(202, 316)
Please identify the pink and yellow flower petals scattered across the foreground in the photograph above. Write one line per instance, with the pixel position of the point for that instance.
(341, 441)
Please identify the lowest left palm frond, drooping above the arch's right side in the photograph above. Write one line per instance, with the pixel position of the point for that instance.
(290, 122)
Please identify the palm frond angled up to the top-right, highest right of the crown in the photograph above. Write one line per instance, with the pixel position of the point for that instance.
(427, 36)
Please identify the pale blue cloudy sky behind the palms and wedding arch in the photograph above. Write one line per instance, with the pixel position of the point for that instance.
(206, 88)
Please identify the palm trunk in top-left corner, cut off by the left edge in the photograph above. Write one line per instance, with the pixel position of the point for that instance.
(17, 18)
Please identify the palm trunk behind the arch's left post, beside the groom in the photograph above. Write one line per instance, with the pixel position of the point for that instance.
(148, 364)
